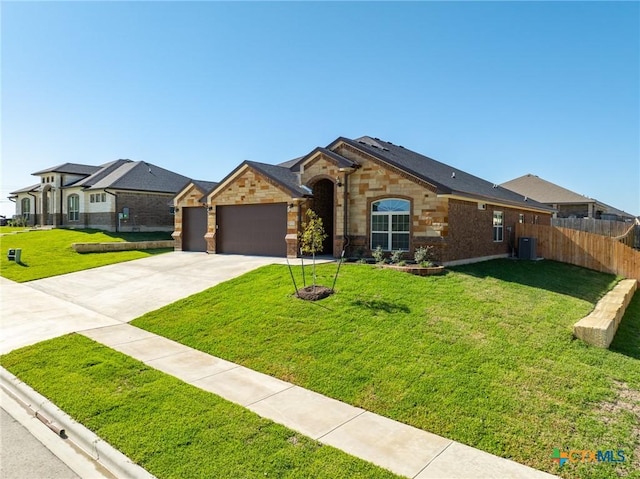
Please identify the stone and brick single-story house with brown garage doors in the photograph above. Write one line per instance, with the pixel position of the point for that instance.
(368, 193)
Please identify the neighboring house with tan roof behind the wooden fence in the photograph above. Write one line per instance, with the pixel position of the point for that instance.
(568, 203)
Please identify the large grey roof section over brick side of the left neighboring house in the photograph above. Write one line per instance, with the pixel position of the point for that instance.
(139, 176)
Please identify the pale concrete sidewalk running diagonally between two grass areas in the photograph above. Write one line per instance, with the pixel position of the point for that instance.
(402, 449)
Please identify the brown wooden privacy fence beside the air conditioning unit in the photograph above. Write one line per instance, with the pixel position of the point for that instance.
(589, 250)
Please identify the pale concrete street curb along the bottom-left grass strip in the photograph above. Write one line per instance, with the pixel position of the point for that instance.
(95, 447)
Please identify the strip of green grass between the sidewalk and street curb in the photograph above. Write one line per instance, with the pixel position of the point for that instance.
(170, 428)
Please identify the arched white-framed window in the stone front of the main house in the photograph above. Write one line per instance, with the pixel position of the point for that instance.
(390, 224)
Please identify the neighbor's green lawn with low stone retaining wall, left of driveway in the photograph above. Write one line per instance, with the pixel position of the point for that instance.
(48, 253)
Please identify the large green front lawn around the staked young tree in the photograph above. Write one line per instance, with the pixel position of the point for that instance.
(483, 355)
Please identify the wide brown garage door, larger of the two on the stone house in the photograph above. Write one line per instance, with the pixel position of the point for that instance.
(252, 229)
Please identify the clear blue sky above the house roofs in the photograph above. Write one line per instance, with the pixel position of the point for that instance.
(498, 89)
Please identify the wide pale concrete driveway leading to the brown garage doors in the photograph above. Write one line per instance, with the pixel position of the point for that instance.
(118, 293)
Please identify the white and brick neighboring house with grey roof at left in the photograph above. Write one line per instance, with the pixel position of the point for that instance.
(122, 195)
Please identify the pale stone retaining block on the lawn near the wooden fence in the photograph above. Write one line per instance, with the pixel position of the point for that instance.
(599, 327)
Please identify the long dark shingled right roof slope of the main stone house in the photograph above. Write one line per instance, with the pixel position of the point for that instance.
(446, 179)
